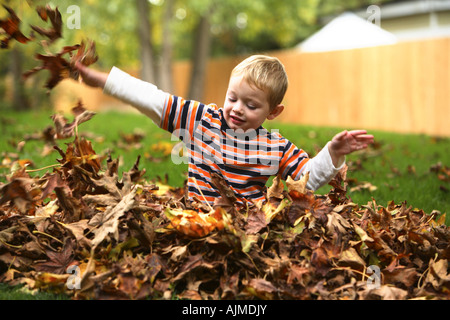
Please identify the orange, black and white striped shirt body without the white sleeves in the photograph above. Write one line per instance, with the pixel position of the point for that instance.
(244, 160)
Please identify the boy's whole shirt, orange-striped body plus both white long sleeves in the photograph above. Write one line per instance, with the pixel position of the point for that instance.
(245, 161)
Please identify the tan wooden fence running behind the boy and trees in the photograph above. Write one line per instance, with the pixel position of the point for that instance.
(401, 88)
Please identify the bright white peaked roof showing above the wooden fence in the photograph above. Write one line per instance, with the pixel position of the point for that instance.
(347, 31)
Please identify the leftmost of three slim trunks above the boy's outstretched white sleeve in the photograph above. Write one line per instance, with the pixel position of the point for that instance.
(145, 39)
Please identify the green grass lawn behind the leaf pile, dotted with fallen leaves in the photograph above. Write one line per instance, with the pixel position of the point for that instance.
(397, 168)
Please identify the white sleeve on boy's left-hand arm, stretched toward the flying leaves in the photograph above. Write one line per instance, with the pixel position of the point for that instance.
(144, 96)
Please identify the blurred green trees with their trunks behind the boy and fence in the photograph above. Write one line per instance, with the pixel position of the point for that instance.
(148, 35)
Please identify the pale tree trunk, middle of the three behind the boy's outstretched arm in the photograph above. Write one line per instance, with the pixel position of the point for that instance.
(165, 74)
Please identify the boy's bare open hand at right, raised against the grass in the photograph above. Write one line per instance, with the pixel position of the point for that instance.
(347, 142)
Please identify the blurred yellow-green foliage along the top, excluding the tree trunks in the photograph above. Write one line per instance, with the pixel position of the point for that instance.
(238, 26)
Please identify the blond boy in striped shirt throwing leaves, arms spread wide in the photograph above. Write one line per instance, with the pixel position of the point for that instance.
(231, 141)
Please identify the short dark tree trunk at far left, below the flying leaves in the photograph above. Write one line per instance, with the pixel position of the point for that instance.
(20, 101)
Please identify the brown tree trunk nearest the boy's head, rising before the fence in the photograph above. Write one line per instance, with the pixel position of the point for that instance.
(202, 48)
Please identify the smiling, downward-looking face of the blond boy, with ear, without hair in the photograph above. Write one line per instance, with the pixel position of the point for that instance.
(247, 107)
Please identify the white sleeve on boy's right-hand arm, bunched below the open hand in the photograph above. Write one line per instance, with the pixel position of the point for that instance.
(321, 169)
